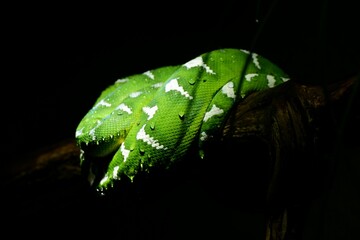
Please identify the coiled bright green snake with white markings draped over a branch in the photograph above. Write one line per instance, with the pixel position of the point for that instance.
(152, 119)
